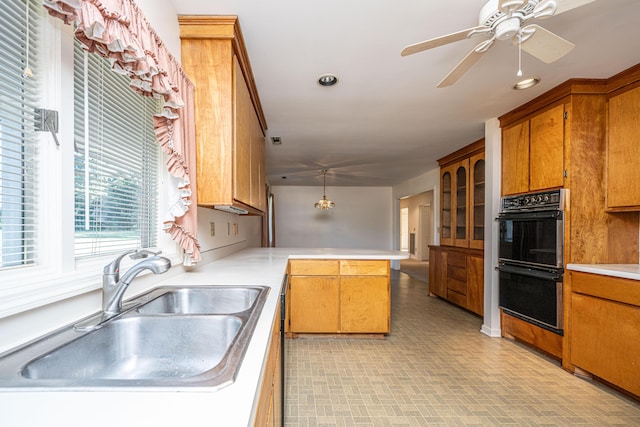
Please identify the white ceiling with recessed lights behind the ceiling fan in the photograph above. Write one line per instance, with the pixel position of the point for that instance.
(385, 121)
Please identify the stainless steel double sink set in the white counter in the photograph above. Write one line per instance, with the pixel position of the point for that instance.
(167, 337)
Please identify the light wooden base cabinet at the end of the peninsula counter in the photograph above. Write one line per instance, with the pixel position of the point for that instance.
(339, 296)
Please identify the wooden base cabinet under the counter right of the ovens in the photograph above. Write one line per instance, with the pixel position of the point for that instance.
(605, 331)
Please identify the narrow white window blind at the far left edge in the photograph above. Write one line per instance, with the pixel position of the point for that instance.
(19, 39)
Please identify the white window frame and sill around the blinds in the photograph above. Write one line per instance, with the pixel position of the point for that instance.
(57, 275)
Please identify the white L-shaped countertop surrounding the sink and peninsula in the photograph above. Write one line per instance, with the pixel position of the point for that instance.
(231, 406)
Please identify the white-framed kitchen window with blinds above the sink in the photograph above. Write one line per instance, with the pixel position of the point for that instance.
(66, 209)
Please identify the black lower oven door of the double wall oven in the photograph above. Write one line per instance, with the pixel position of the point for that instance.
(533, 295)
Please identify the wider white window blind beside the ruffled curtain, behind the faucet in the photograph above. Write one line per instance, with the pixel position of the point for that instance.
(116, 161)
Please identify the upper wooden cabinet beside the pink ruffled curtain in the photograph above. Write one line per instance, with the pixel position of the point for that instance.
(230, 124)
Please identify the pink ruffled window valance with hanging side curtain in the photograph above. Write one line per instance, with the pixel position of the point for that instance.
(118, 30)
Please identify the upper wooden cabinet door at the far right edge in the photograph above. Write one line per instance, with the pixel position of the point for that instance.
(623, 150)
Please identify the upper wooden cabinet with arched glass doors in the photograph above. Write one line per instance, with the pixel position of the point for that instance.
(462, 177)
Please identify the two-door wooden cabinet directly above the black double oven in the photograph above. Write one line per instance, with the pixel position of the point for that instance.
(533, 152)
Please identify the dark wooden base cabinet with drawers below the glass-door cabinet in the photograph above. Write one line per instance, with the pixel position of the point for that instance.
(457, 275)
